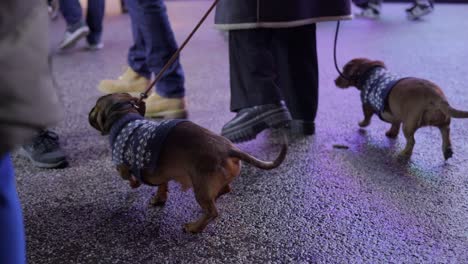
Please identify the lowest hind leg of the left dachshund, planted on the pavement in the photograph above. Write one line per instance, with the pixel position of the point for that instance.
(210, 213)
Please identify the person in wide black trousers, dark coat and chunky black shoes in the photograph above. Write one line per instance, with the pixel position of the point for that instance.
(273, 62)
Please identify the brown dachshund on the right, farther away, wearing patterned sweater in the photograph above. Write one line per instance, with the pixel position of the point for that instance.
(412, 102)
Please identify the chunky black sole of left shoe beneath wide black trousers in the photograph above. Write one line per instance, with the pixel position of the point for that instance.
(248, 131)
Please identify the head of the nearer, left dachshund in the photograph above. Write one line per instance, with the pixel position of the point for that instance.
(110, 108)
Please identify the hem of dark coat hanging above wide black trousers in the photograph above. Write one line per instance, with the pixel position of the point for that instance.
(245, 14)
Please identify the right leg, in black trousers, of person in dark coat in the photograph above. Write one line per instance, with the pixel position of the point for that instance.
(298, 76)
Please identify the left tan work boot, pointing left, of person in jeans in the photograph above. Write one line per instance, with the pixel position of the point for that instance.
(129, 82)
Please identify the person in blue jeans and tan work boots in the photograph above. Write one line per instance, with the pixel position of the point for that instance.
(153, 45)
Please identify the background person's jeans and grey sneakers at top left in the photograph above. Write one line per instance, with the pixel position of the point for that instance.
(77, 28)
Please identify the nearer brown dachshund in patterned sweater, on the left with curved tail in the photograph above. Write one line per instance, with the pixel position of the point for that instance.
(190, 154)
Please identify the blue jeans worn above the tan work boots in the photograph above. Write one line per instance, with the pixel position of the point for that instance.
(153, 45)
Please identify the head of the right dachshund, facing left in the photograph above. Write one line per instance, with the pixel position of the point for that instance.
(354, 70)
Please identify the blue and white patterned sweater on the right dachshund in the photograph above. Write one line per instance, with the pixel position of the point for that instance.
(375, 87)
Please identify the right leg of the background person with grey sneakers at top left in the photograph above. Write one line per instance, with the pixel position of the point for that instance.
(94, 18)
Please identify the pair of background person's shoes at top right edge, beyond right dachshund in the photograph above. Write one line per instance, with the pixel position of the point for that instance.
(371, 8)
